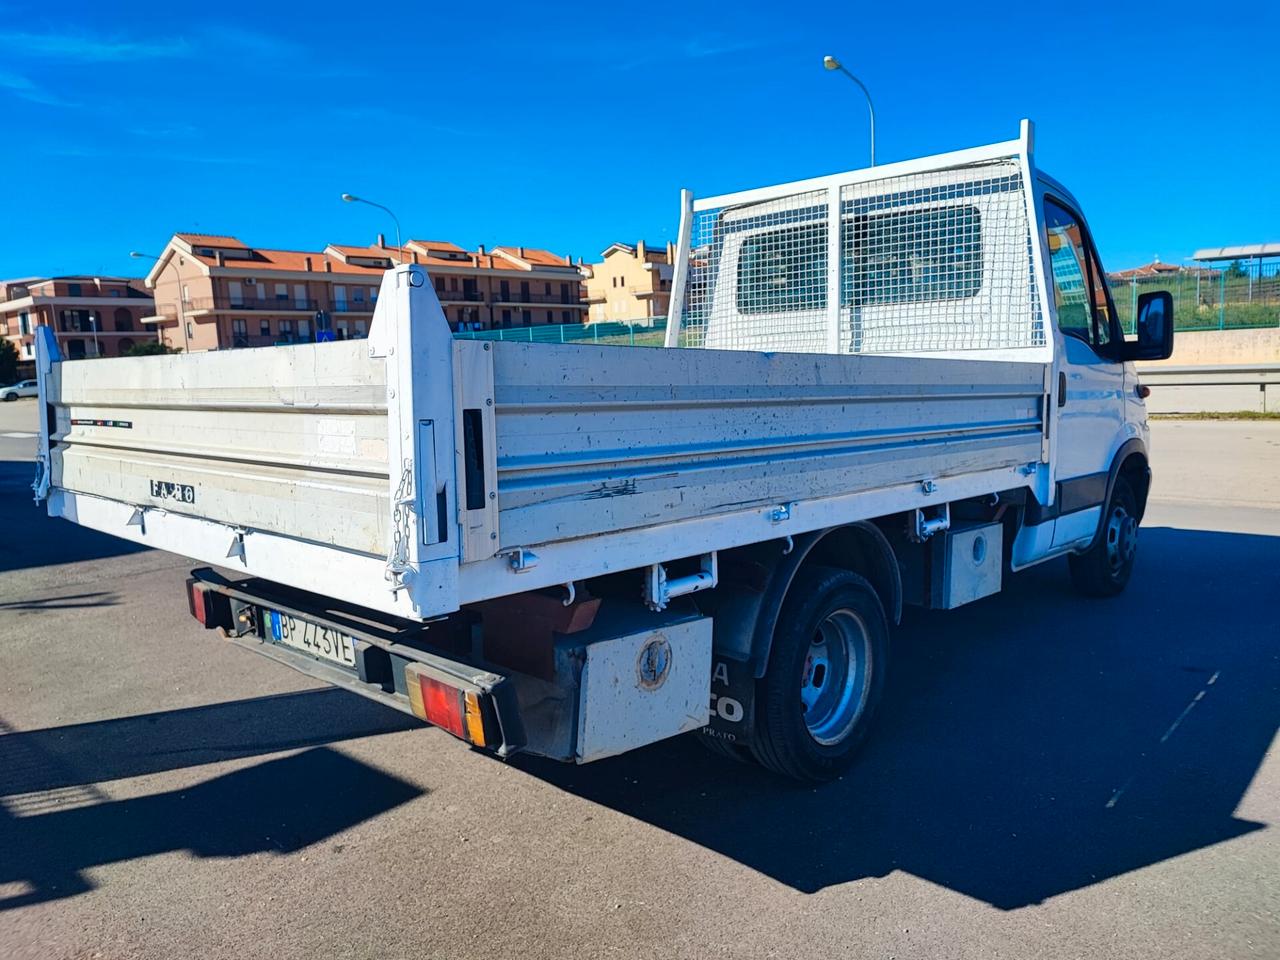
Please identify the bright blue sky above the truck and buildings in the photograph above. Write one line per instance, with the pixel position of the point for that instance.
(570, 126)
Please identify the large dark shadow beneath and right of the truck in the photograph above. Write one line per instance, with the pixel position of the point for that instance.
(1031, 744)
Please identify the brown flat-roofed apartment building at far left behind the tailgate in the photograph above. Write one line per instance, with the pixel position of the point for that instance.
(92, 317)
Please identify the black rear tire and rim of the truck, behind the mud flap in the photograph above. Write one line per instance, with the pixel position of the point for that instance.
(825, 679)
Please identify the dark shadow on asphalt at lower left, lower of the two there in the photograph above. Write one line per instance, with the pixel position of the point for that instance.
(47, 854)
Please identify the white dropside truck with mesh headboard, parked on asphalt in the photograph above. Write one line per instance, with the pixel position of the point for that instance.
(880, 388)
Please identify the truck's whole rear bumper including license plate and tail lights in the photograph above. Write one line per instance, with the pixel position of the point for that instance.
(385, 659)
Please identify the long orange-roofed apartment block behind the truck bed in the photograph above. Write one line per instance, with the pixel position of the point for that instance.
(217, 292)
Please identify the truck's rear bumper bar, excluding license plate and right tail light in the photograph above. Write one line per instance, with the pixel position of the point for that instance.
(391, 655)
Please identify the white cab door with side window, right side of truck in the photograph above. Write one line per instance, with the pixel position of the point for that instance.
(1090, 391)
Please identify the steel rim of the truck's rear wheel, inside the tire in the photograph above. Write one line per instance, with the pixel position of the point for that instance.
(836, 676)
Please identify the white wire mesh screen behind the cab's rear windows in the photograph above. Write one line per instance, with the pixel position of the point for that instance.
(929, 263)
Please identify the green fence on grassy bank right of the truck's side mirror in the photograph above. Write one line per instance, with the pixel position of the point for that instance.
(1231, 296)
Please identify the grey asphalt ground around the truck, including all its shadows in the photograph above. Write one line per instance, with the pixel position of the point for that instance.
(1052, 778)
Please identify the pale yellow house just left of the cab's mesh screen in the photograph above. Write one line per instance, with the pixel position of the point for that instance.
(630, 282)
